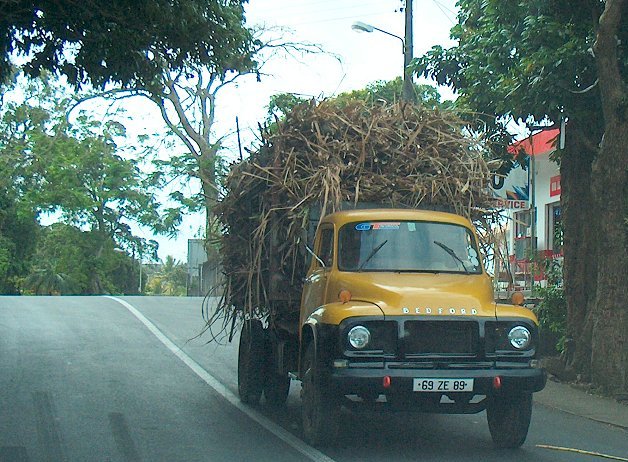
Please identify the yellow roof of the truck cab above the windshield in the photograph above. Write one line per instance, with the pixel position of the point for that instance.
(348, 216)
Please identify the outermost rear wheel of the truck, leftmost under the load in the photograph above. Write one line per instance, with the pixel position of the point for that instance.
(251, 358)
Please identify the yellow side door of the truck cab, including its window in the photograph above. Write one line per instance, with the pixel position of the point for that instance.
(315, 286)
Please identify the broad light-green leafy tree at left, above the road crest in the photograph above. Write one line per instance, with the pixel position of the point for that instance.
(74, 170)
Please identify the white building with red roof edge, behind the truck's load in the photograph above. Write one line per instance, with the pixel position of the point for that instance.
(530, 194)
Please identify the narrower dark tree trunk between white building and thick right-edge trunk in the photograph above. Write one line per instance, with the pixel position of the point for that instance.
(579, 249)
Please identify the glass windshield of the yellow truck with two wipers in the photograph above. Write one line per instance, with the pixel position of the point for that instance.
(414, 246)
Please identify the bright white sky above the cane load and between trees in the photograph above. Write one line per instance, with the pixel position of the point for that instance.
(352, 61)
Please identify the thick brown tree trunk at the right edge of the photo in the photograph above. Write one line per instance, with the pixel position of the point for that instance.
(609, 357)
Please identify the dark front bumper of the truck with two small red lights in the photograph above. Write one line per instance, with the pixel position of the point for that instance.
(369, 378)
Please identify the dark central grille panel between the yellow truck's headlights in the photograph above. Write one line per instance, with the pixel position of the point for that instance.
(433, 338)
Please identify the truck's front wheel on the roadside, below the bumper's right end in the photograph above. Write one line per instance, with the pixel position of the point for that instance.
(509, 419)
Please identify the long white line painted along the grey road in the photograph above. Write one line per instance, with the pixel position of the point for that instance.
(223, 391)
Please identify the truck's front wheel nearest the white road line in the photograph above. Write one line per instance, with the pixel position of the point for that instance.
(319, 410)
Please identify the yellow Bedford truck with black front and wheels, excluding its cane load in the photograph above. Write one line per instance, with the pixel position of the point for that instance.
(397, 313)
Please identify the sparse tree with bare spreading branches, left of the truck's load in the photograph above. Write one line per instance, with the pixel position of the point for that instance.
(188, 102)
